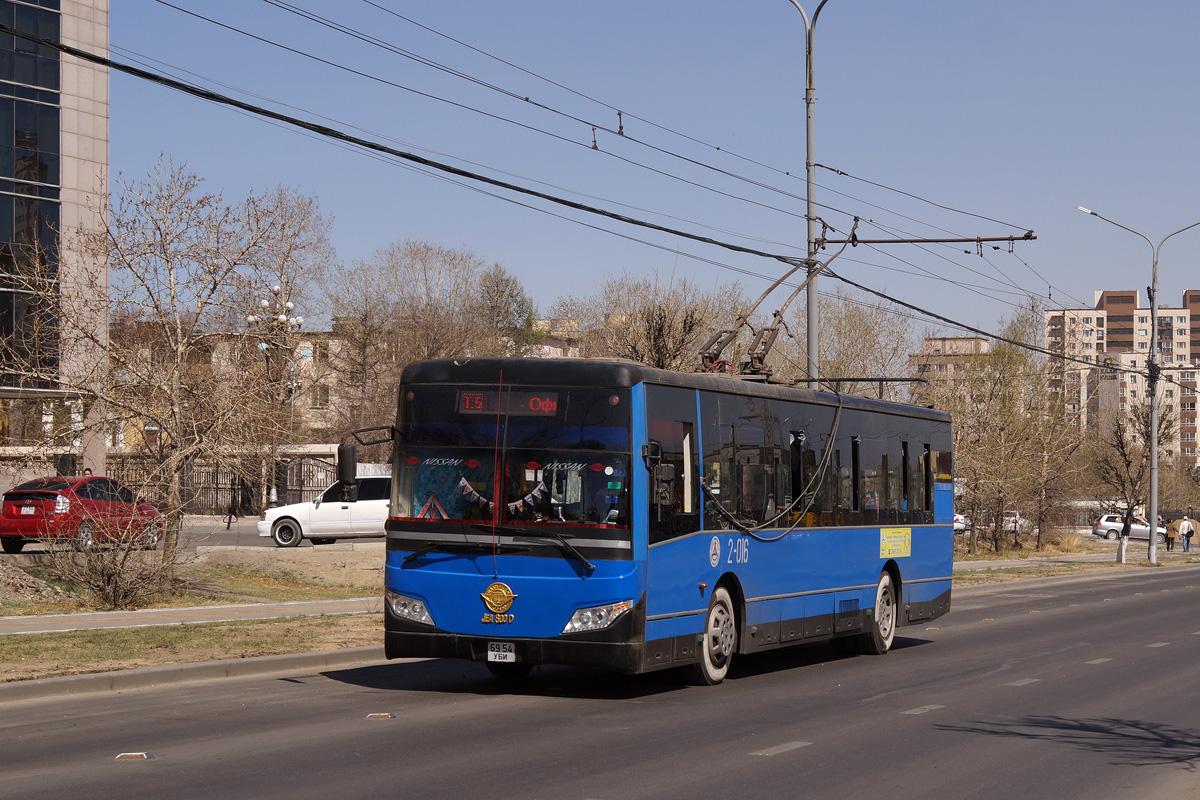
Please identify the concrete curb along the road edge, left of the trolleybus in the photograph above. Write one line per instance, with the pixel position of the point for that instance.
(148, 677)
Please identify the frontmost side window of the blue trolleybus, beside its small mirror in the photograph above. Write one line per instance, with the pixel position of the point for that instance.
(671, 458)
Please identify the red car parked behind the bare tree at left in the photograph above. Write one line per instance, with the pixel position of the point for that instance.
(86, 510)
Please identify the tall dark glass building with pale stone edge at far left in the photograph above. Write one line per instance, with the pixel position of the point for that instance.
(53, 175)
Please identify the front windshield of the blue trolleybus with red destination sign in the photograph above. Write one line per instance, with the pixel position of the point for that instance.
(523, 456)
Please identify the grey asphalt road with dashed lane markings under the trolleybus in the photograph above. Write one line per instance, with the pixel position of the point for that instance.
(1071, 688)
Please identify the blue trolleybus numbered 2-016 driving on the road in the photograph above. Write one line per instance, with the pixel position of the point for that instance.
(611, 515)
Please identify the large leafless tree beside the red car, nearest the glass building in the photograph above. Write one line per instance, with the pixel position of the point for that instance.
(172, 370)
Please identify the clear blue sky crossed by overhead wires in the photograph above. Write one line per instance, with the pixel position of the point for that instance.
(1016, 113)
